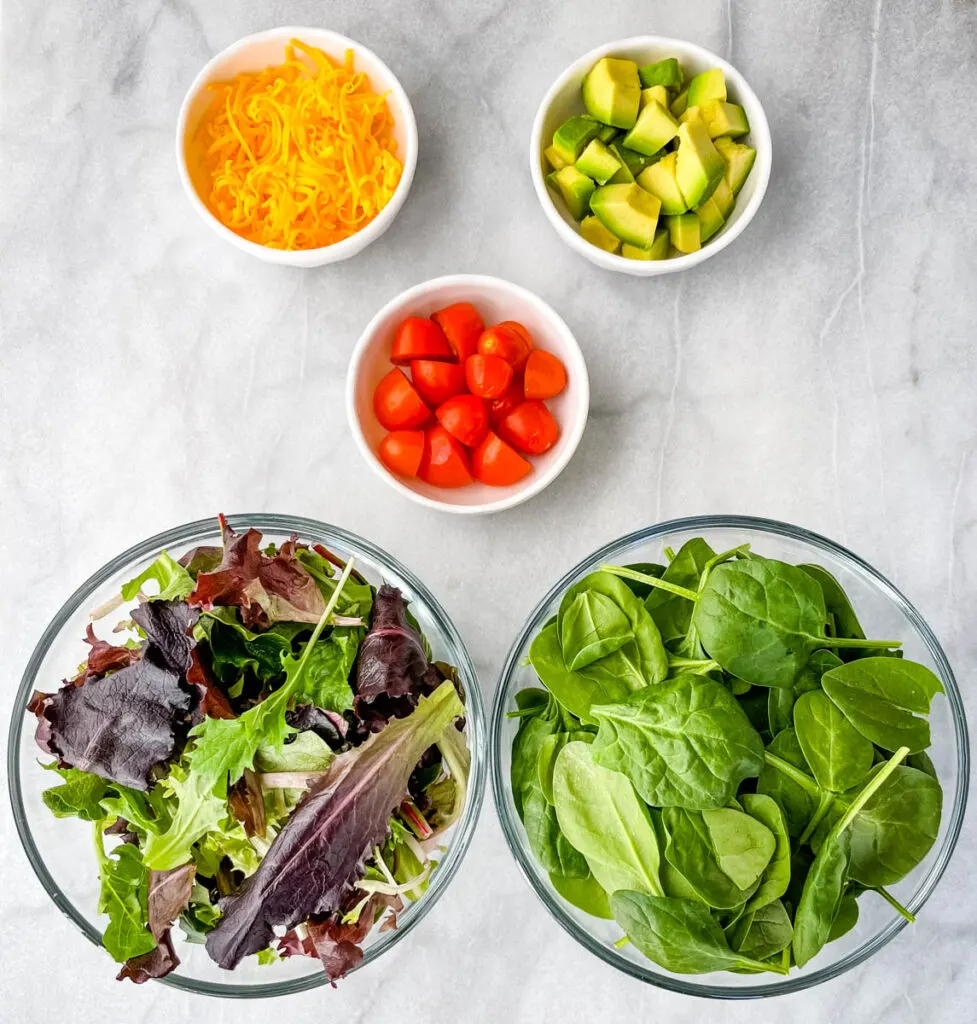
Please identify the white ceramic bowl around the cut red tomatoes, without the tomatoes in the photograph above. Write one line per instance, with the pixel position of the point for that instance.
(497, 301)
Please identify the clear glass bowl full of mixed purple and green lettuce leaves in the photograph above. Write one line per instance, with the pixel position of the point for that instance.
(277, 735)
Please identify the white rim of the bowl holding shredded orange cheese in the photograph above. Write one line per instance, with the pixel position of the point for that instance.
(339, 250)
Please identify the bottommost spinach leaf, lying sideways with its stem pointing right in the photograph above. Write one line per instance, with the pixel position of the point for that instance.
(679, 935)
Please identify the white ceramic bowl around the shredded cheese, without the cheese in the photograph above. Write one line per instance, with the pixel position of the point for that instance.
(264, 51)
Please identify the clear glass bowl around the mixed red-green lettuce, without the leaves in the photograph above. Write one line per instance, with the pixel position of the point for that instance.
(61, 851)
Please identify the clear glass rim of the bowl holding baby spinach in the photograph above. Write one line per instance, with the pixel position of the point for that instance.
(511, 825)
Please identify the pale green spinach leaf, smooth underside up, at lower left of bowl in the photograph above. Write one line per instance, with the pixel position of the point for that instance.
(602, 816)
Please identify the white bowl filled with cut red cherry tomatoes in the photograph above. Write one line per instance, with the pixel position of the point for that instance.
(468, 394)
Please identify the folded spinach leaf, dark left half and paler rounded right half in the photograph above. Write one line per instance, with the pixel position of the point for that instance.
(721, 855)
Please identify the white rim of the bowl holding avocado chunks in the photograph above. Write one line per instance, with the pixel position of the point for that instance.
(759, 129)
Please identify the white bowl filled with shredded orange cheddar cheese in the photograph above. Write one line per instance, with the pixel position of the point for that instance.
(298, 146)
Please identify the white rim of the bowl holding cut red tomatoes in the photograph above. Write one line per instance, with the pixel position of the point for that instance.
(540, 481)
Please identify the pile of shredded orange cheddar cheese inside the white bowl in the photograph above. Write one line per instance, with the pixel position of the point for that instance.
(298, 156)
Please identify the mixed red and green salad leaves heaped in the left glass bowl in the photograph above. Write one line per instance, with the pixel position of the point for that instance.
(270, 759)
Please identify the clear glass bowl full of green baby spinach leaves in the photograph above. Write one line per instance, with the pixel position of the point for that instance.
(730, 757)
